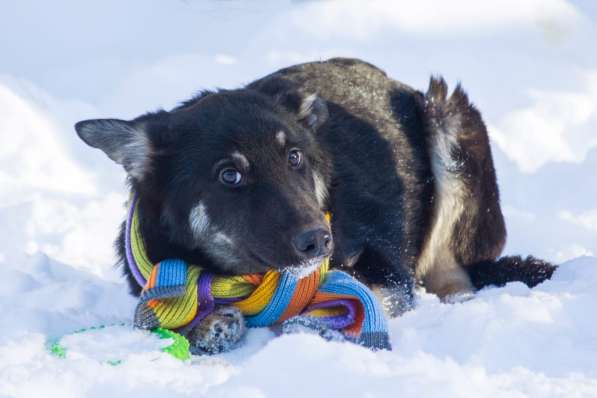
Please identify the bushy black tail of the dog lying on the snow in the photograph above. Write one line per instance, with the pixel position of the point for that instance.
(530, 271)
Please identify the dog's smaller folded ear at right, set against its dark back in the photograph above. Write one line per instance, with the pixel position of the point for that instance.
(310, 109)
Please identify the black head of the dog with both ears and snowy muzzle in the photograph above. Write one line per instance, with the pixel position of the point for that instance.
(236, 175)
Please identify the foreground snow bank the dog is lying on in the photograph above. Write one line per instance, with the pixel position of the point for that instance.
(510, 341)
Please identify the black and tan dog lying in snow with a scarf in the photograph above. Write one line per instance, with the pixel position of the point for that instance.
(239, 181)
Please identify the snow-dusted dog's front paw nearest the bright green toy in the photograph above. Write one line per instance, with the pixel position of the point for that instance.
(218, 332)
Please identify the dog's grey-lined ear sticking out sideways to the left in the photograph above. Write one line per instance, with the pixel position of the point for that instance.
(127, 143)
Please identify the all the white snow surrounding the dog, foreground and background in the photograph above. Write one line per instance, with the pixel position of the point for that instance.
(528, 67)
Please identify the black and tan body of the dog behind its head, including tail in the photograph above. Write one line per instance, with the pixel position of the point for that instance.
(413, 187)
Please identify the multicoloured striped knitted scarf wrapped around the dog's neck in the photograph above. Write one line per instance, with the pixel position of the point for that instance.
(177, 295)
